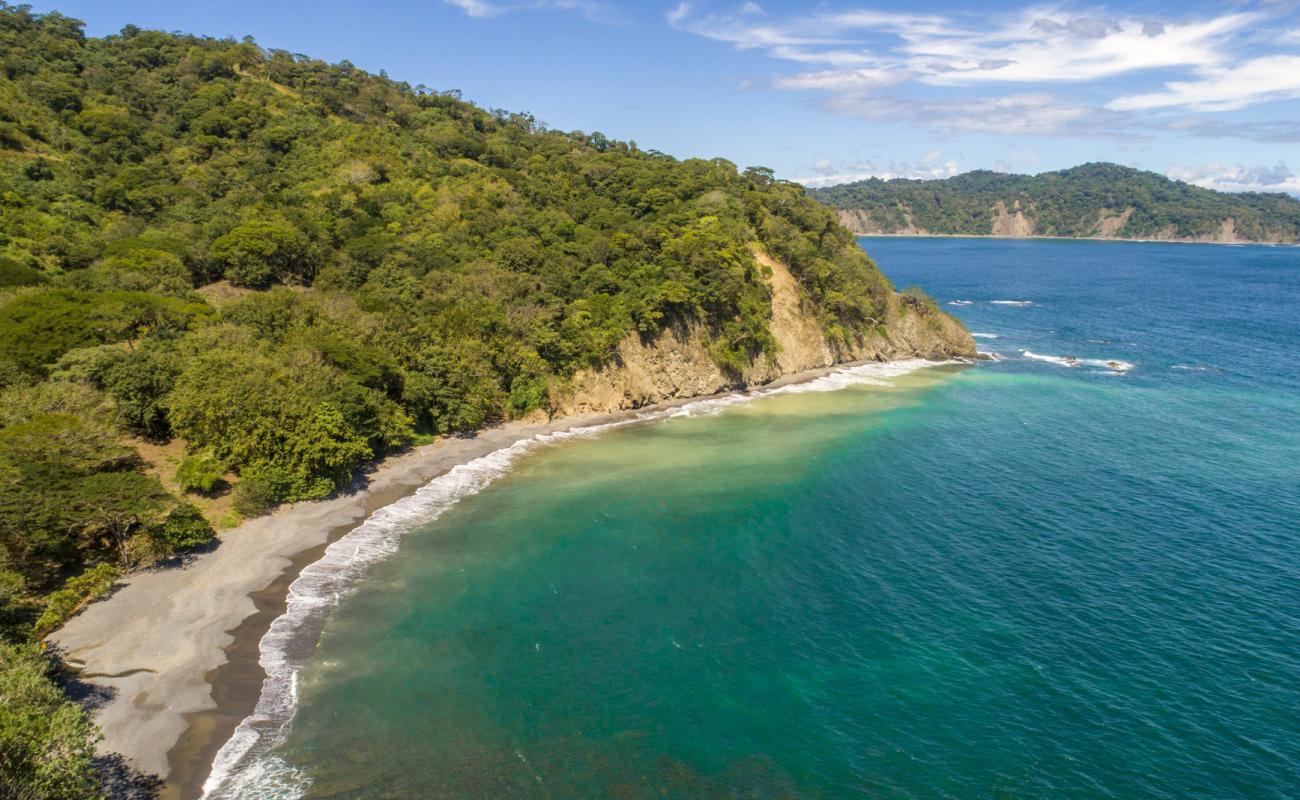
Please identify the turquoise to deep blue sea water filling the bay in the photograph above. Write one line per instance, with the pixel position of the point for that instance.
(1022, 580)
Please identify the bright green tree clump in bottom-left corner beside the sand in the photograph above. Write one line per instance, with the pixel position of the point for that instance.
(47, 742)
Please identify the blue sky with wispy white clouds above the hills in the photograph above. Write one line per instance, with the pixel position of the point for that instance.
(825, 93)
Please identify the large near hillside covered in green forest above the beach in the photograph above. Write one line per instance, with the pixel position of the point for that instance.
(242, 274)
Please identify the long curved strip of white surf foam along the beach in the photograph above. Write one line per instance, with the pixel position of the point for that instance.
(246, 766)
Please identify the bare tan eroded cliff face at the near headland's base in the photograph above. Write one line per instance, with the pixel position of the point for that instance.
(677, 365)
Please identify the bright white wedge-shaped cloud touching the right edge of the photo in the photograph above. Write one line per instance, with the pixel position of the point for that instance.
(1249, 84)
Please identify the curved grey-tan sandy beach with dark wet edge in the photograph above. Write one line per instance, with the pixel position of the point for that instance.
(179, 648)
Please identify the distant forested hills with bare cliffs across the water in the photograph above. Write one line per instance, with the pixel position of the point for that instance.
(1103, 201)
